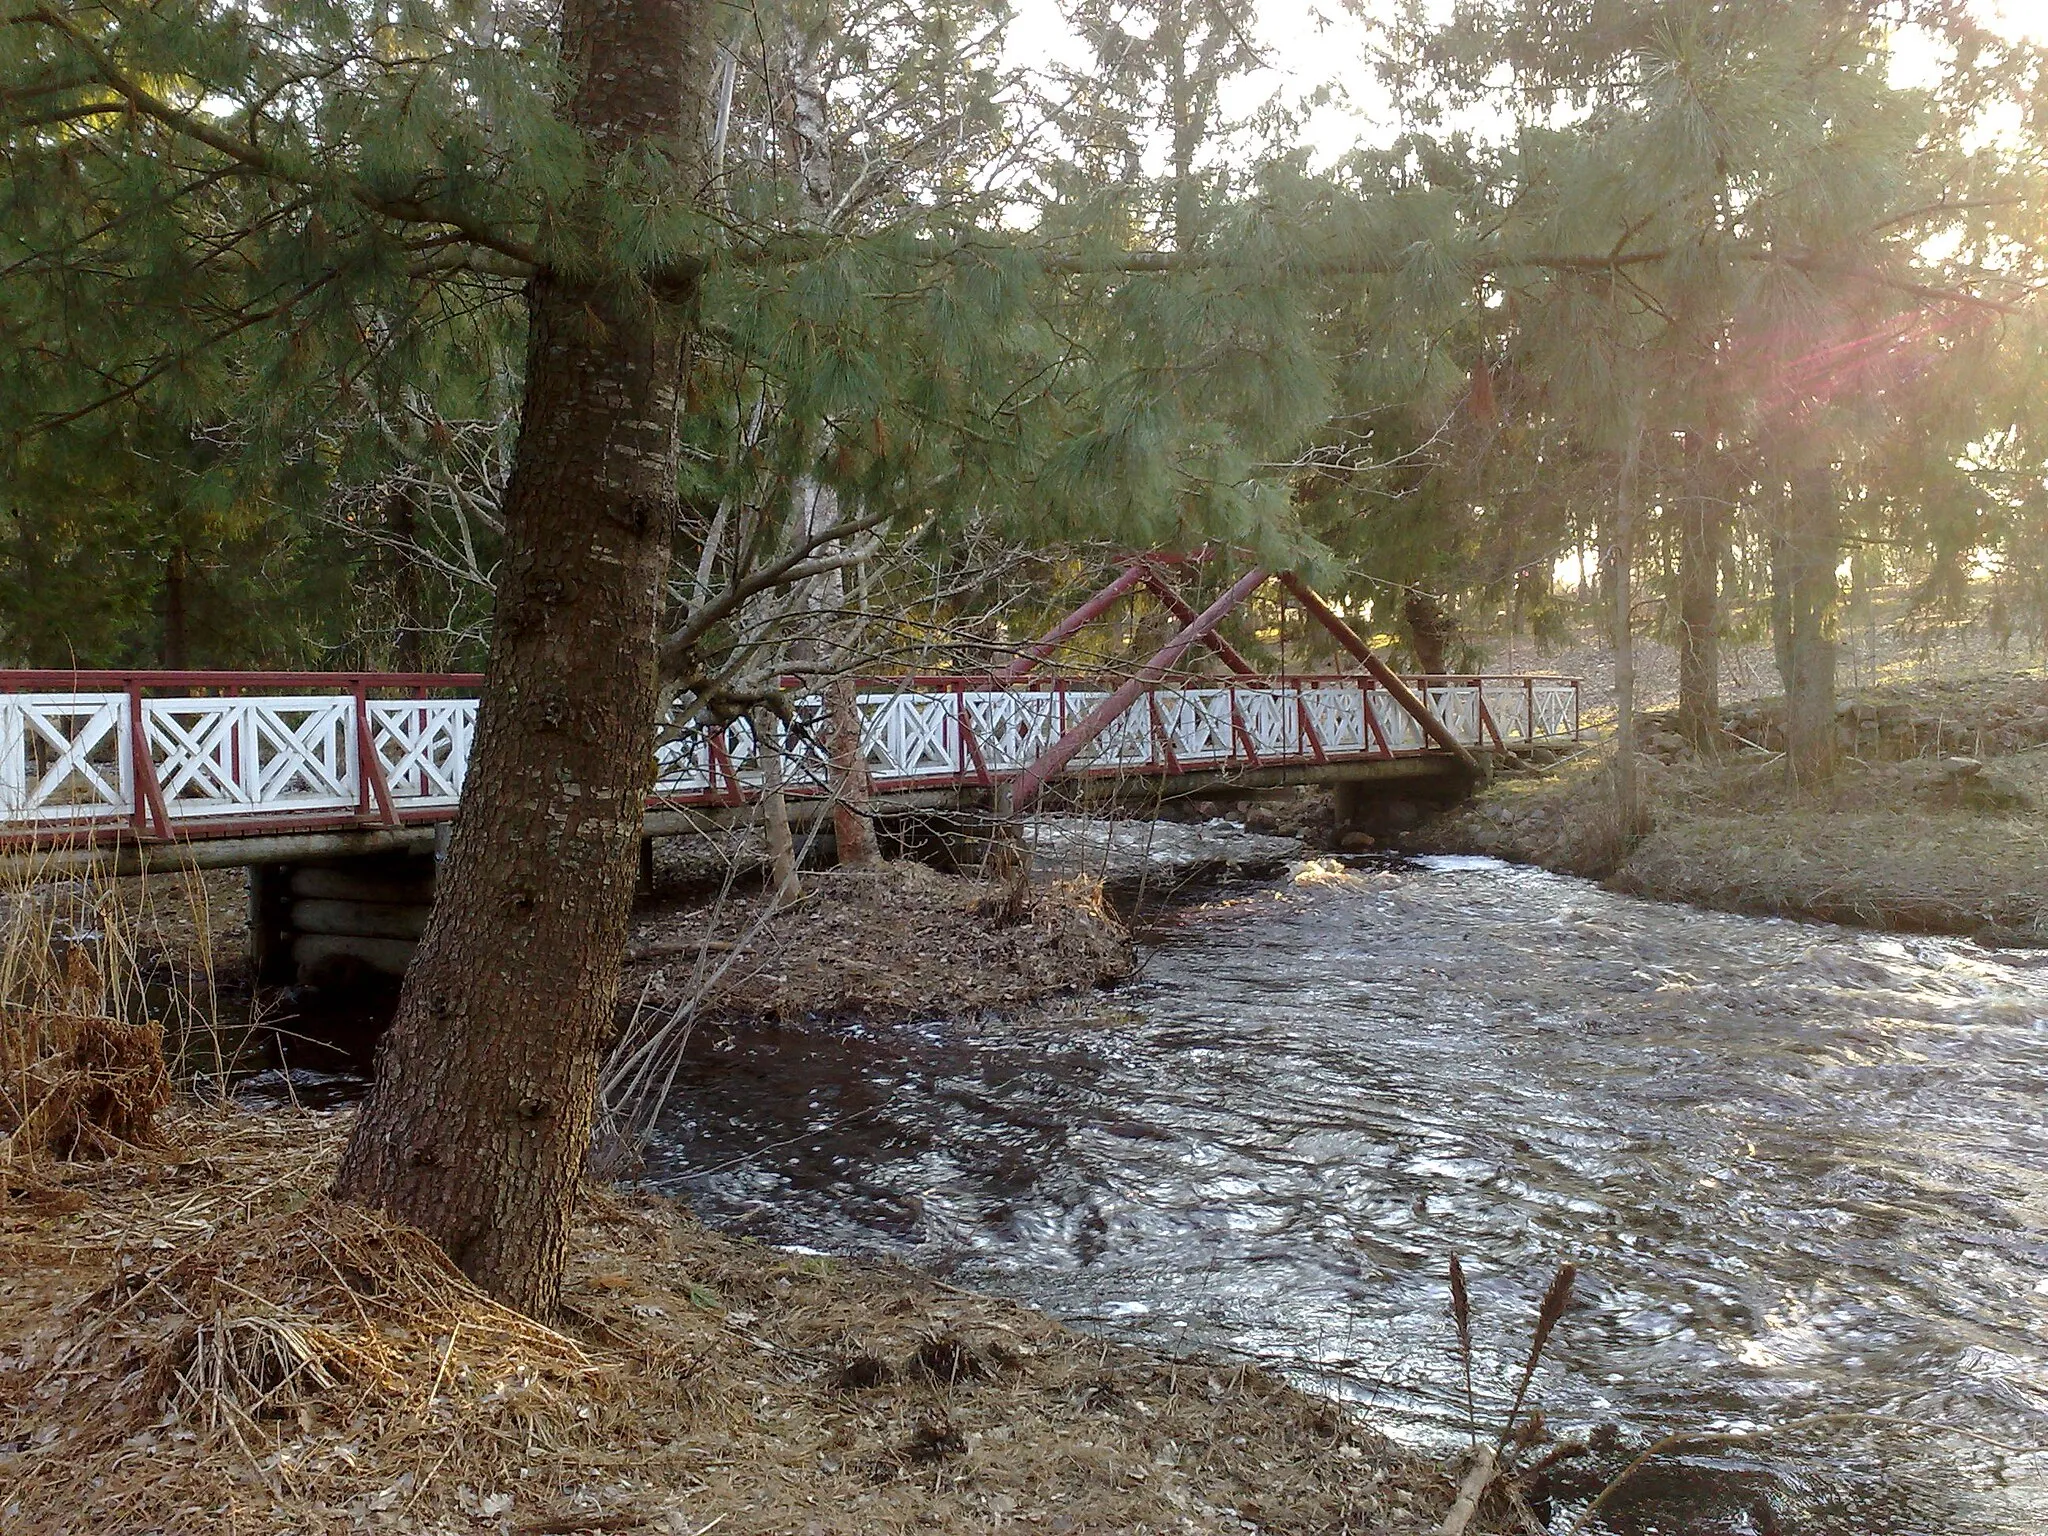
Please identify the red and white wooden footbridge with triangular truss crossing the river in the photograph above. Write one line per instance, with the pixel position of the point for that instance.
(220, 769)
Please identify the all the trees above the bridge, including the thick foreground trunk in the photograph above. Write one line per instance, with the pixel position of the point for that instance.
(650, 349)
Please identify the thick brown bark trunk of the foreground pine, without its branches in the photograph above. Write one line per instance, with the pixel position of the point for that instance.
(480, 1119)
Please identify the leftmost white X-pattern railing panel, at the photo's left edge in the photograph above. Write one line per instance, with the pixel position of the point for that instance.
(65, 757)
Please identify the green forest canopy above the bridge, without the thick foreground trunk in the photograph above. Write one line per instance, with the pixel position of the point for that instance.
(1799, 243)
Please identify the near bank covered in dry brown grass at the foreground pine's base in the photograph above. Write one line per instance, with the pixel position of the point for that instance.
(212, 1347)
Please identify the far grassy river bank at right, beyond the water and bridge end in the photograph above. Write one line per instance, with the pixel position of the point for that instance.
(1920, 835)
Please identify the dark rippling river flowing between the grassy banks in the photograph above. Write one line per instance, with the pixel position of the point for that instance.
(1803, 1175)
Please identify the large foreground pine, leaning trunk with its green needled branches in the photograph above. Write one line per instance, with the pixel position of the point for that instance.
(288, 220)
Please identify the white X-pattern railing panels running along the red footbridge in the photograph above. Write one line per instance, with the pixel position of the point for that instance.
(298, 751)
